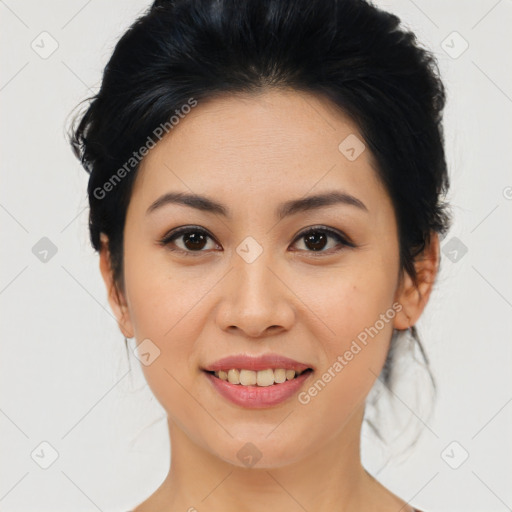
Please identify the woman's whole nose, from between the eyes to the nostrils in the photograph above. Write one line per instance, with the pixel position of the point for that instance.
(255, 298)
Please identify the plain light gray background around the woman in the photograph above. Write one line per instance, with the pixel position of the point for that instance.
(65, 378)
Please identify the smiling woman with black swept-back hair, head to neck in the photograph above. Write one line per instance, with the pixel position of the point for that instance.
(266, 196)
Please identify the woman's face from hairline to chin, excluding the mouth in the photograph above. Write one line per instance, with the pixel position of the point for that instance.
(253, 285)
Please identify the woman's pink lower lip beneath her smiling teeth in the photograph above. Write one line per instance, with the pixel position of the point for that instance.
(257, 397)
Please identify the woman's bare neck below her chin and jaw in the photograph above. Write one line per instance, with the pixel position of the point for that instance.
(331, 478)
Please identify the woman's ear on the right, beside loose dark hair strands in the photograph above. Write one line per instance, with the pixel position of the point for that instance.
(414, 296)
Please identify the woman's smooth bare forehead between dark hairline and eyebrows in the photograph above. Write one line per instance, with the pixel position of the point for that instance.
(259, 146)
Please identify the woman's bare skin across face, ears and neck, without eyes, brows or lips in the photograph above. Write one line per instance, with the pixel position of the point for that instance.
(252, 153)
